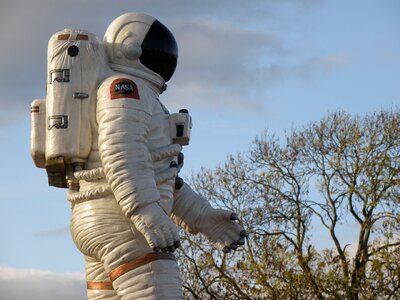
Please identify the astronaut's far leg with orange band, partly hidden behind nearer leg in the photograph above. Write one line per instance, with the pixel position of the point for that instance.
(99, 285)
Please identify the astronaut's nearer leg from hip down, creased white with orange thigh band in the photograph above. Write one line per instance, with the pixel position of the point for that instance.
(100, 230)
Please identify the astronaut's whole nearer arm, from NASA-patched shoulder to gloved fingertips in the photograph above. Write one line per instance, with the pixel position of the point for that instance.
(123, 129)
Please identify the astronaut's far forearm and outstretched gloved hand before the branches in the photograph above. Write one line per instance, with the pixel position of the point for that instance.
(195, 214)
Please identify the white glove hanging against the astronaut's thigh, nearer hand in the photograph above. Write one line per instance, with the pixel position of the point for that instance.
(157, 228)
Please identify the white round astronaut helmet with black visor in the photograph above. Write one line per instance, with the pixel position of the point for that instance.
(141, 43)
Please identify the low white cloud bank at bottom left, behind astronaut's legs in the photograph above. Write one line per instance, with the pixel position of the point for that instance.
(32, 284)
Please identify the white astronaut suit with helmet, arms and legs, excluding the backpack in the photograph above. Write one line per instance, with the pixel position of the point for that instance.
(124, 213)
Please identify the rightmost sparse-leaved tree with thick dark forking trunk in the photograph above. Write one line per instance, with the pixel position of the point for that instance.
(356, 162)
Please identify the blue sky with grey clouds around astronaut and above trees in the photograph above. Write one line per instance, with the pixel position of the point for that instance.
(244, 66)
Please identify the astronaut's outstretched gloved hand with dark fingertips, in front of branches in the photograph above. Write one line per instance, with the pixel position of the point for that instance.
(221, 228)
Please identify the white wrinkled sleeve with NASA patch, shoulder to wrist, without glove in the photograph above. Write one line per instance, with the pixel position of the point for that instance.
(123, 115)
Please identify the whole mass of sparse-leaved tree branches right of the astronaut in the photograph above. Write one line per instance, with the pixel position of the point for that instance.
(340, 169)
